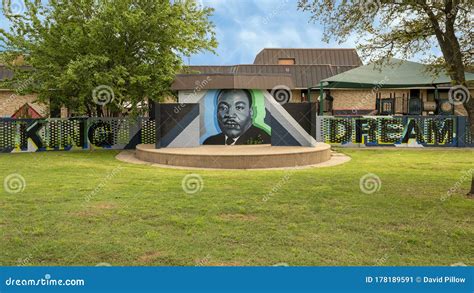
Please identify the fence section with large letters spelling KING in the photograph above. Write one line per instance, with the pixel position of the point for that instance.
(29, 135)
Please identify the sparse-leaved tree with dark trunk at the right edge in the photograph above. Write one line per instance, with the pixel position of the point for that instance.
(406, 28)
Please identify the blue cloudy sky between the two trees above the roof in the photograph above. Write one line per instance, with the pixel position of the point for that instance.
(244, 27)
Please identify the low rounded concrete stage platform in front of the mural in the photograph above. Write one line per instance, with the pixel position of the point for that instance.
(235, 157)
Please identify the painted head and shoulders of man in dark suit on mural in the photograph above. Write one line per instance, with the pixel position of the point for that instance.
(234, 116)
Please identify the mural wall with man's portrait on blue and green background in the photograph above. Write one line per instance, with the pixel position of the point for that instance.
(238, 117)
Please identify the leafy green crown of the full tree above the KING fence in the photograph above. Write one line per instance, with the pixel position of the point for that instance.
(102, 57)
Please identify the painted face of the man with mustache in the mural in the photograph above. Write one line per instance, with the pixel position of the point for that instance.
(234, 112)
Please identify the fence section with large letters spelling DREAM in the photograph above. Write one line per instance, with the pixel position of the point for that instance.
(410, 131)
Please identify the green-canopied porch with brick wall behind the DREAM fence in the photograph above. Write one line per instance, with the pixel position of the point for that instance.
(399, 88)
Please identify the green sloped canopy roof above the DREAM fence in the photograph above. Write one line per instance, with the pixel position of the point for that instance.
(397, 74)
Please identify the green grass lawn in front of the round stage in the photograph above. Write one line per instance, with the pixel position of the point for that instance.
(140, 215)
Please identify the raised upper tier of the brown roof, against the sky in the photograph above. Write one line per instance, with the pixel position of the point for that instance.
(341, 57)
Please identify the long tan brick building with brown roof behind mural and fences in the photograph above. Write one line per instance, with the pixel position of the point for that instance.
(296, 75)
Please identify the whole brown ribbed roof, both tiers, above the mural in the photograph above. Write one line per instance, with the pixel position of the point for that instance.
(311, 66)
